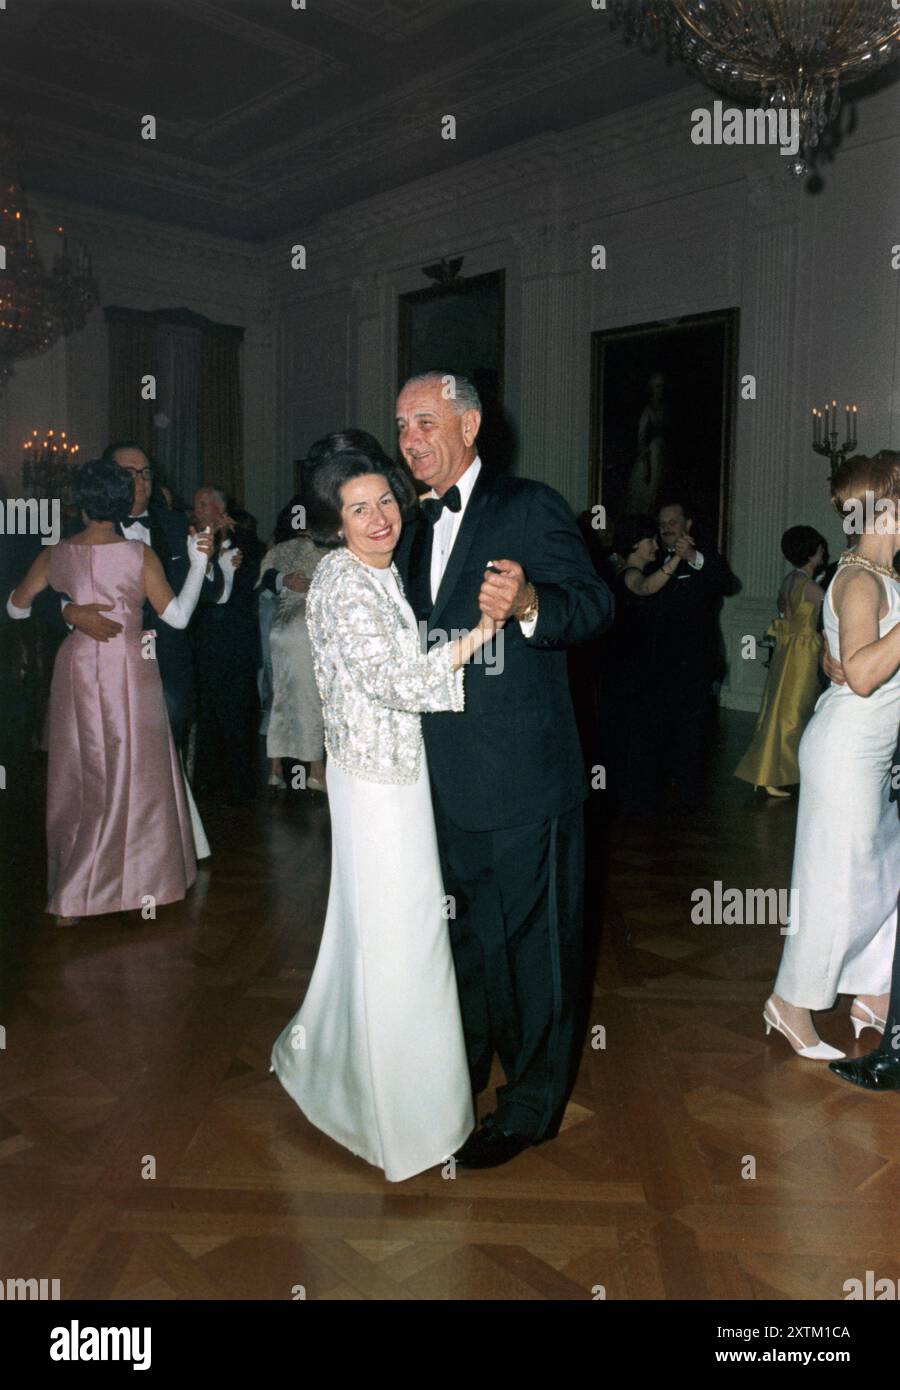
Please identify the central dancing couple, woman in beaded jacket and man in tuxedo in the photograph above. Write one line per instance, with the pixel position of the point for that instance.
(454, 926)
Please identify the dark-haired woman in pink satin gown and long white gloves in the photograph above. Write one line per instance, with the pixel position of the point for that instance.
(120, 818)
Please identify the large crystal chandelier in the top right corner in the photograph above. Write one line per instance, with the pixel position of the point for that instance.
(792, 55)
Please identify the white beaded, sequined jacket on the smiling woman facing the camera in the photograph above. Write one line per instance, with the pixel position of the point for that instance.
(373, 678)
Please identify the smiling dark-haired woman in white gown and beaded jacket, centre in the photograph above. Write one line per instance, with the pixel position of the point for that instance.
(376, 1056)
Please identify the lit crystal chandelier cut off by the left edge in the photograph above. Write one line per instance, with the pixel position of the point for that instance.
(37, 306)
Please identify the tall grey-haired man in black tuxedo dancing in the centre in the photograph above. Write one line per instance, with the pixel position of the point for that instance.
(507, 775)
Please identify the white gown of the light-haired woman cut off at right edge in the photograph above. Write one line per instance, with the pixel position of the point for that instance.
(848, 850)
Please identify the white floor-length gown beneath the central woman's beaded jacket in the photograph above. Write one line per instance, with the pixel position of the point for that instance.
(376, 1056)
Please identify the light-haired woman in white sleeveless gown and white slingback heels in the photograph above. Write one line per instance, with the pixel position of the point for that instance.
(848, 851)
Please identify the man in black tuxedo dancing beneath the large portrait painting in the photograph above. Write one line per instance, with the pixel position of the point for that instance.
(689, 654)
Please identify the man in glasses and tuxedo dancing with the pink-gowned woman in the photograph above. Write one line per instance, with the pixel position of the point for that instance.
(166, 532)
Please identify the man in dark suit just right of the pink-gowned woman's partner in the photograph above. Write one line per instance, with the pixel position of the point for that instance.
(227, 646)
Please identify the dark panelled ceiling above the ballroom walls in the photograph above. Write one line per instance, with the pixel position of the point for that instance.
(269, 117)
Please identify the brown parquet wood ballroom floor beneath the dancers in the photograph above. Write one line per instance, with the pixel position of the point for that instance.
(136, 1045)
